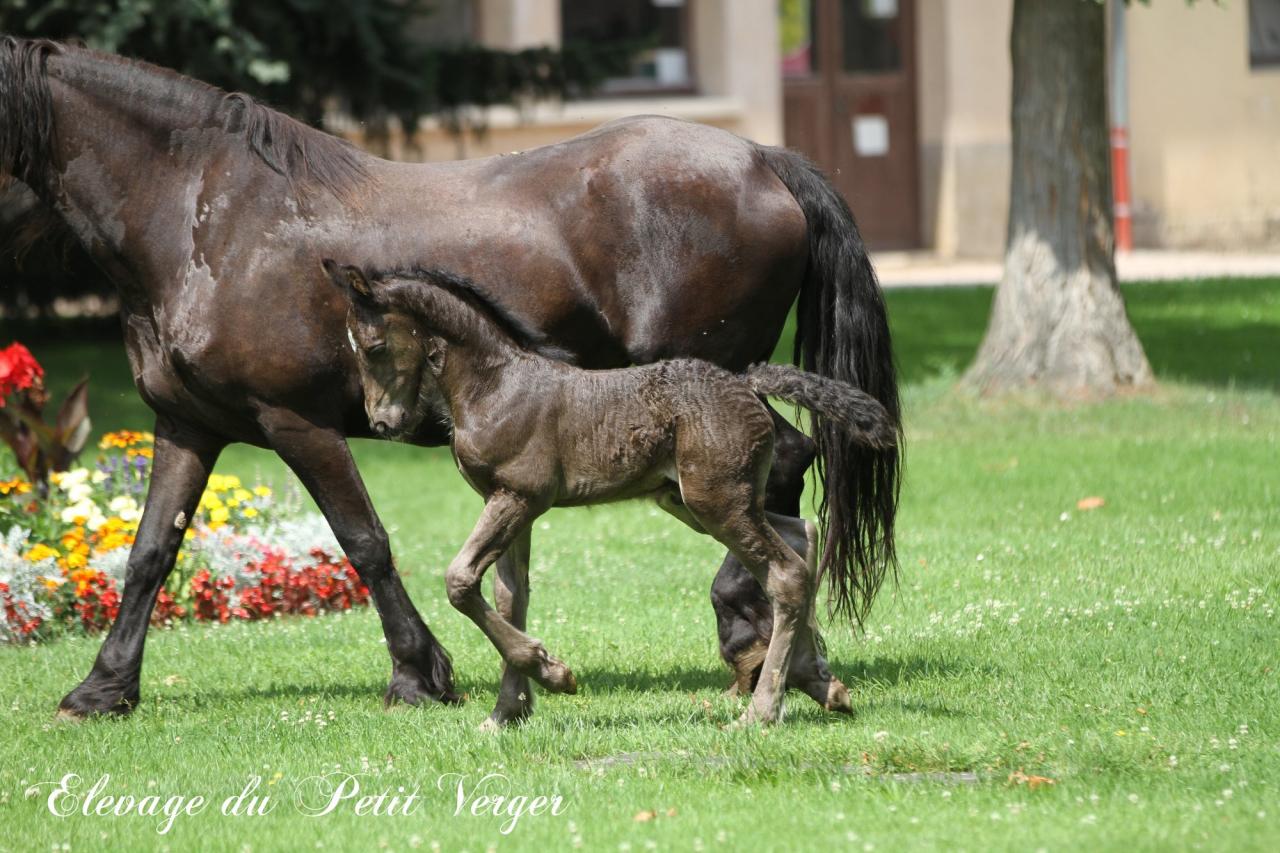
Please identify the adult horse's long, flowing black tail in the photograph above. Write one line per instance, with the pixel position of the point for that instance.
(843, 332)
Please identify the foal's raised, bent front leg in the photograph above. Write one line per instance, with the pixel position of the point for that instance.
(505, 519)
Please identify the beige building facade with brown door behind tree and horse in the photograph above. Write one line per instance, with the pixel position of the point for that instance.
(906, 103)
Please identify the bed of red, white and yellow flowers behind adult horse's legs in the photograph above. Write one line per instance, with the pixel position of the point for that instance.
(248, 554)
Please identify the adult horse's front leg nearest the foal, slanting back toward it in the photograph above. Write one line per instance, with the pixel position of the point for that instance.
(322, 460)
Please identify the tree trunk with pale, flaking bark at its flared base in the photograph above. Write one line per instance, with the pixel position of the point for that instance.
(1059, 321)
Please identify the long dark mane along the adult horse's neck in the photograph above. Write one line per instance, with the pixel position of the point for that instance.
(305, 157)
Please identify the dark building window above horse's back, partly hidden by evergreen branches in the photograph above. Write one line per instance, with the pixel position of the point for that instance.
(659, 29)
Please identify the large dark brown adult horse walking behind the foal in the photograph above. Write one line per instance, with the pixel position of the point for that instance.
(642, 240)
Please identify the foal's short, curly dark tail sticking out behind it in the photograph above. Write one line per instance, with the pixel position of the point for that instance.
(863, 419)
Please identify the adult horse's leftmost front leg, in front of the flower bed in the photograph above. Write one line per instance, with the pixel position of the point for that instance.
(184, 460)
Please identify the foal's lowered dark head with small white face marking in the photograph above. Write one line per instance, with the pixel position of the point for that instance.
(399, 361)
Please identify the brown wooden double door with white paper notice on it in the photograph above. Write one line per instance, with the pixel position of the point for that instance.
(849, 92)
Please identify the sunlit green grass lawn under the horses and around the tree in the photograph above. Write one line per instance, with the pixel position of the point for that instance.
(1131, 654)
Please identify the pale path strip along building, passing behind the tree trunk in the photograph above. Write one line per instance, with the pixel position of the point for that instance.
(924, 270)
